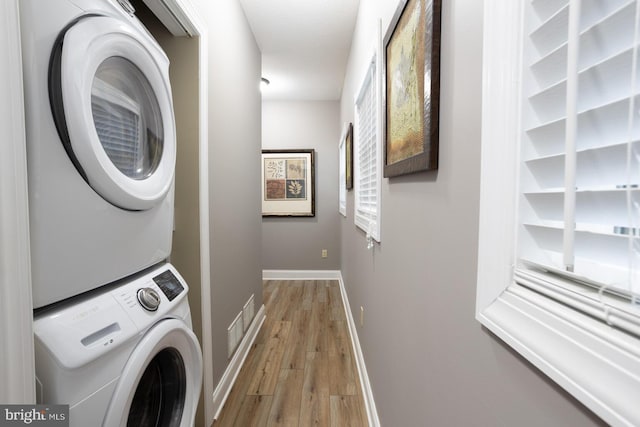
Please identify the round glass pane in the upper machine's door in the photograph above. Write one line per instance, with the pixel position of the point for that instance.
(127, 118)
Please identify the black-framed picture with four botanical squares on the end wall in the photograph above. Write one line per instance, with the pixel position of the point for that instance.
(288, 183)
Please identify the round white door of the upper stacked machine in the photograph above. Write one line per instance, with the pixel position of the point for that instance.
(111, 100)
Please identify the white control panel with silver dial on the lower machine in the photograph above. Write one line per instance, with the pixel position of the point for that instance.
(75, 334)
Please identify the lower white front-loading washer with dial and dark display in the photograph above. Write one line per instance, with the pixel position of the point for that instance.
(124, 357)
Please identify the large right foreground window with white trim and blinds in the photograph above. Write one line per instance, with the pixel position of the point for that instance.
(559, 242)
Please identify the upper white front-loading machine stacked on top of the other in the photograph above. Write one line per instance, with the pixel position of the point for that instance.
(101, 145)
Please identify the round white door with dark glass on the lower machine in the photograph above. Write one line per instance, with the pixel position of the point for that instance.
(160, 384)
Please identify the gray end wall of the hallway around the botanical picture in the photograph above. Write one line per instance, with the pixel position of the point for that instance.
(297, 243)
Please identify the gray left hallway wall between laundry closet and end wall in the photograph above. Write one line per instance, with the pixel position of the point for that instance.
(234, 168)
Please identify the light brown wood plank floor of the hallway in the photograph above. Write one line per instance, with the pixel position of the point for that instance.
(301, 370)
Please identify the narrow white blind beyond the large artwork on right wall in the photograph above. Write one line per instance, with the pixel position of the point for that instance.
(367, 173)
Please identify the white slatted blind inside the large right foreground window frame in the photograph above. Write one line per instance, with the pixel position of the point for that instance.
(580, 156)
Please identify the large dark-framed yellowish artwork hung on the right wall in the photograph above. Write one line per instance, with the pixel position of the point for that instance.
(412, 88)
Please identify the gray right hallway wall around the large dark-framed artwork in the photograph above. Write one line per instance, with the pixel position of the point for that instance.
(430, 362)
